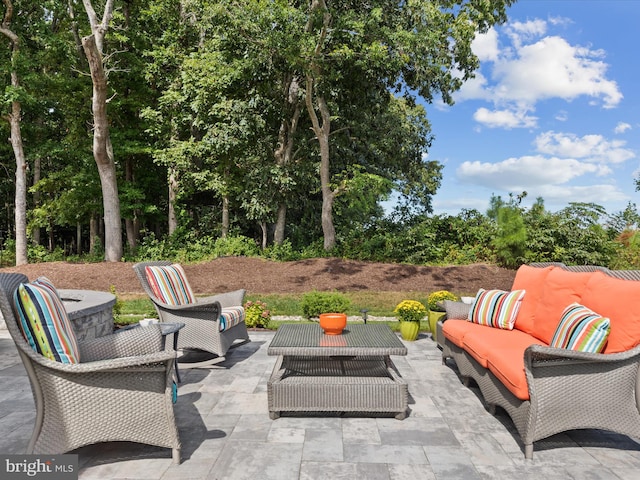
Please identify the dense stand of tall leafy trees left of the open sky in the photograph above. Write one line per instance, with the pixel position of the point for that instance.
(285, 122)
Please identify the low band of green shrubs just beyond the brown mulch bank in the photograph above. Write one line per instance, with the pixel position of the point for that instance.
(507, 234)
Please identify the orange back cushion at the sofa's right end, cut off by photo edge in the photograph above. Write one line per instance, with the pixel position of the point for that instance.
(615, 299)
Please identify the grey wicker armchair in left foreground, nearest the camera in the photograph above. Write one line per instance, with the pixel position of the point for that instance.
(120, 391)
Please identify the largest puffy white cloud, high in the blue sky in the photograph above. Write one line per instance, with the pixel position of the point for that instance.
(534, 66)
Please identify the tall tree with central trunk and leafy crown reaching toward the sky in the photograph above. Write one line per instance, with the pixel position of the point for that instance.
(419, 48)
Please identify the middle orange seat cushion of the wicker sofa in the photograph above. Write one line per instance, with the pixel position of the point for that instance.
(485, 343)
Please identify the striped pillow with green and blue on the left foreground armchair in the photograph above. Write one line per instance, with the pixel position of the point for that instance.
(44, 322)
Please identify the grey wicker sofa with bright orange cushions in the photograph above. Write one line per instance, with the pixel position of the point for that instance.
(547, 390)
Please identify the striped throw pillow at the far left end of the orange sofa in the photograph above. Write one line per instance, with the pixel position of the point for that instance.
(496, 308)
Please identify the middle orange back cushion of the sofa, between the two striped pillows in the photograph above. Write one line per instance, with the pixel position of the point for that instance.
(561, 288)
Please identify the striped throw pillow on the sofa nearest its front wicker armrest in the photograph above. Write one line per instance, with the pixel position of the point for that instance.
(581, 329)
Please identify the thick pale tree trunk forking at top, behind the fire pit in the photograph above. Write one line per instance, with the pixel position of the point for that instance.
(93, 46)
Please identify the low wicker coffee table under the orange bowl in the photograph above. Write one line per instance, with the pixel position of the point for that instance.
(351, 372)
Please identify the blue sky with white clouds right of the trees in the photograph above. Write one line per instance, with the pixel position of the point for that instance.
(554, 110)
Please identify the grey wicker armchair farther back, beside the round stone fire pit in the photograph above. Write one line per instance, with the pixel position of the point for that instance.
(201, 319)
